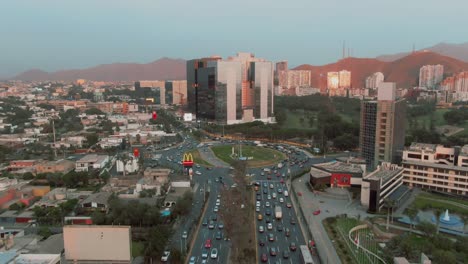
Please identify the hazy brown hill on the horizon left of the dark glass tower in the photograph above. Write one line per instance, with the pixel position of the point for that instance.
(162, 69)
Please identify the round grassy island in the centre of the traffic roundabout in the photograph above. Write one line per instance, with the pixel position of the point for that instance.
(261, 156)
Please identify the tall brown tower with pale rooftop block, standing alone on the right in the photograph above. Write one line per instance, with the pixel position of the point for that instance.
(382, 132)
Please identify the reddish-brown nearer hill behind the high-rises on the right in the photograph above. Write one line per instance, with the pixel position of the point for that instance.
(404, 72)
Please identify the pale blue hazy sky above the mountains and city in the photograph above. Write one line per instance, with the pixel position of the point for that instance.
(63, 34)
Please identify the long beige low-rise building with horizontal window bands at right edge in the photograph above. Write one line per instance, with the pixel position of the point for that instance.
(436, 168)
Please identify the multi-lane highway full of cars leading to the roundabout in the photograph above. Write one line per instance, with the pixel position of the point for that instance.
(211, 234)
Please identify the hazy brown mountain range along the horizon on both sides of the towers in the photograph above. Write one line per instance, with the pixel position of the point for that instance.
(402, 68)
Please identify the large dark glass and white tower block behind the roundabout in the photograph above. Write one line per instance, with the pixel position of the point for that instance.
(235, 90)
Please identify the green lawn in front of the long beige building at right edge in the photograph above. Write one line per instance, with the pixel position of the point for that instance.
(426, 204)
